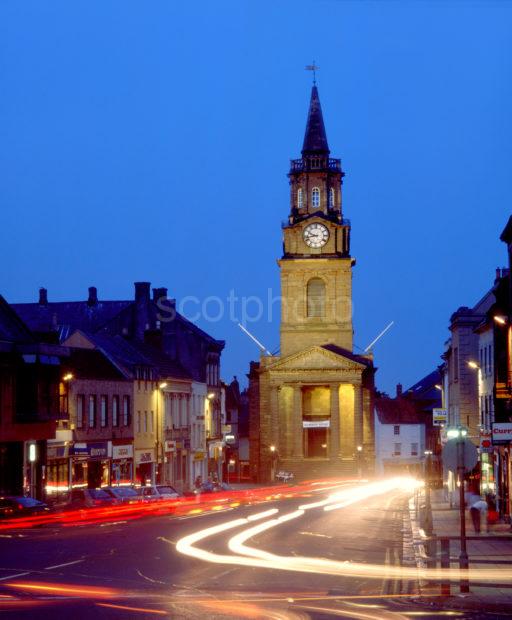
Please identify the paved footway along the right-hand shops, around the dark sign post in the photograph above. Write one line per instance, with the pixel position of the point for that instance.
(489, 549)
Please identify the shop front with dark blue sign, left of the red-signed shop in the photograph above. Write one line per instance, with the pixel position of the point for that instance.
(91, 463)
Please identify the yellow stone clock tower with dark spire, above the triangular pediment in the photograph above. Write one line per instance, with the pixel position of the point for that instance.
(316, 266)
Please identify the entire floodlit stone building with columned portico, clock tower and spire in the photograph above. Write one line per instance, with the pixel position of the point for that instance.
(311, 406)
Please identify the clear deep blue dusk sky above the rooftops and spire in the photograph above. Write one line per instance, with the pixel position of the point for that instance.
(151, 141)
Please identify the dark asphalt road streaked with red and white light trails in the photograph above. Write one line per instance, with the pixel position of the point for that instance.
(135, 570)
